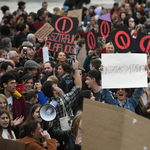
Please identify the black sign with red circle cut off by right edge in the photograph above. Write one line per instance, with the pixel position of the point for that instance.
(143, 43)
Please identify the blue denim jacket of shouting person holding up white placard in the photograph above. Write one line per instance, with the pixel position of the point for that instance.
(130, 103)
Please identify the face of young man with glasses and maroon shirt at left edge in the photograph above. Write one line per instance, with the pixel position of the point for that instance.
(11, 86)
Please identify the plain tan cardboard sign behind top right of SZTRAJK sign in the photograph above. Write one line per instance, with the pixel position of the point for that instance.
(76, 13)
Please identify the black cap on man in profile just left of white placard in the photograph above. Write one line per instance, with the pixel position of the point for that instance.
(95, 74)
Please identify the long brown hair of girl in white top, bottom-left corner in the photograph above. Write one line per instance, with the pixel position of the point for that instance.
(2, 111)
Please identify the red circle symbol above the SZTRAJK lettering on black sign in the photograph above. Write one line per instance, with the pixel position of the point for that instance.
(64, 24)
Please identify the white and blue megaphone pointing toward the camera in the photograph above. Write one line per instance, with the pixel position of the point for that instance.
(48, 111)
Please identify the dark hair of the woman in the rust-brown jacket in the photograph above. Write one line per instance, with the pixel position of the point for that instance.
(28, 128)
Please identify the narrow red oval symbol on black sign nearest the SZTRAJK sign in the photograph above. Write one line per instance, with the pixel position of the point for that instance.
(91, 37)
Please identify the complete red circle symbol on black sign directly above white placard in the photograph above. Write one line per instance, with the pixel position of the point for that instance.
(125, 45)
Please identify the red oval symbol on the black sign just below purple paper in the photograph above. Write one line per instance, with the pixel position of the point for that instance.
(103, 32)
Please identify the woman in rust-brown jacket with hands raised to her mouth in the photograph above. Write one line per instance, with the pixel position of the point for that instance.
(31, 135)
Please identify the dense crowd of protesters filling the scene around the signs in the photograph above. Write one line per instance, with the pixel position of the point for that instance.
(27, 83)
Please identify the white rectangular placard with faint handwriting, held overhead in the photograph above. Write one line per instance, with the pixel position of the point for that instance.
(124, 70)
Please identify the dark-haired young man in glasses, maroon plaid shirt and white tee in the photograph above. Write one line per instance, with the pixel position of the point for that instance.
(16, 103)
